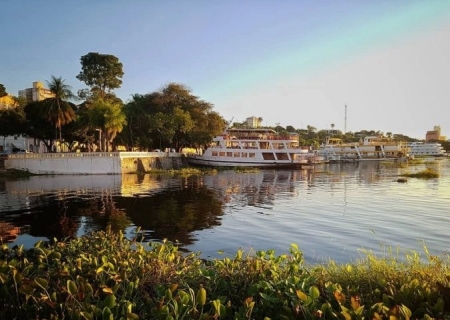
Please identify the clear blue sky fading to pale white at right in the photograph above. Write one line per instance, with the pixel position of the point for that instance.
(291, 62)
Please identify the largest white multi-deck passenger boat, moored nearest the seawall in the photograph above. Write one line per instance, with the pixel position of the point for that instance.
(251, 148)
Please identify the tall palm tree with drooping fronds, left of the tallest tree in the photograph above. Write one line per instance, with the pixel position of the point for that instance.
(57, 110)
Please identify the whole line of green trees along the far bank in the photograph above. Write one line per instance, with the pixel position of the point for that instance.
(96, 119)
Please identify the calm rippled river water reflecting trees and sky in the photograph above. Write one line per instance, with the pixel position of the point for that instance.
(332, 211)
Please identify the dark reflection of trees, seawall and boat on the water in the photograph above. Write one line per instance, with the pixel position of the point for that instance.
(162, 207)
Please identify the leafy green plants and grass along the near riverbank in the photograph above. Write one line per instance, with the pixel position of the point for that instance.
(105, 276)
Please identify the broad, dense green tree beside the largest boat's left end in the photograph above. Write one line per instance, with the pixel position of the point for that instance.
(181, 118)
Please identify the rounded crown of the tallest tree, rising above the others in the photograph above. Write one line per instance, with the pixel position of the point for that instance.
(101, 72)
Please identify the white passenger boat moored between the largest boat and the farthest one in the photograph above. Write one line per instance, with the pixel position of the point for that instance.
(370, 148)
